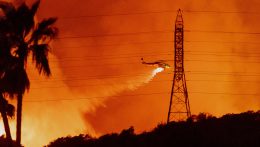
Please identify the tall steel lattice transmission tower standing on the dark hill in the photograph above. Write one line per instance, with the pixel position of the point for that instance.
(179, 108)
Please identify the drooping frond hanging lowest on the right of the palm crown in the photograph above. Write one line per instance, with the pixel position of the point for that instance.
(40, 58)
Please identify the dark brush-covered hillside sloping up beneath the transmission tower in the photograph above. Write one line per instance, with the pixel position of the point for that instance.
(203, 130)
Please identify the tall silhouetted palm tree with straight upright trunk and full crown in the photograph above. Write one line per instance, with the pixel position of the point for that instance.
(26, 37)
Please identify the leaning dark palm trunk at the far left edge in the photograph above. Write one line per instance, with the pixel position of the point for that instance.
(5, 120)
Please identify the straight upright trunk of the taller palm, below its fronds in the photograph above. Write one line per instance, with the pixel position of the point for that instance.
(19, 119)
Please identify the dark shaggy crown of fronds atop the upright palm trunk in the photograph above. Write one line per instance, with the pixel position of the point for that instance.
(15, 27)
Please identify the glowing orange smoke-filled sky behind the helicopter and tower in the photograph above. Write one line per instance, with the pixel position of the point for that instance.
(99, 85)
